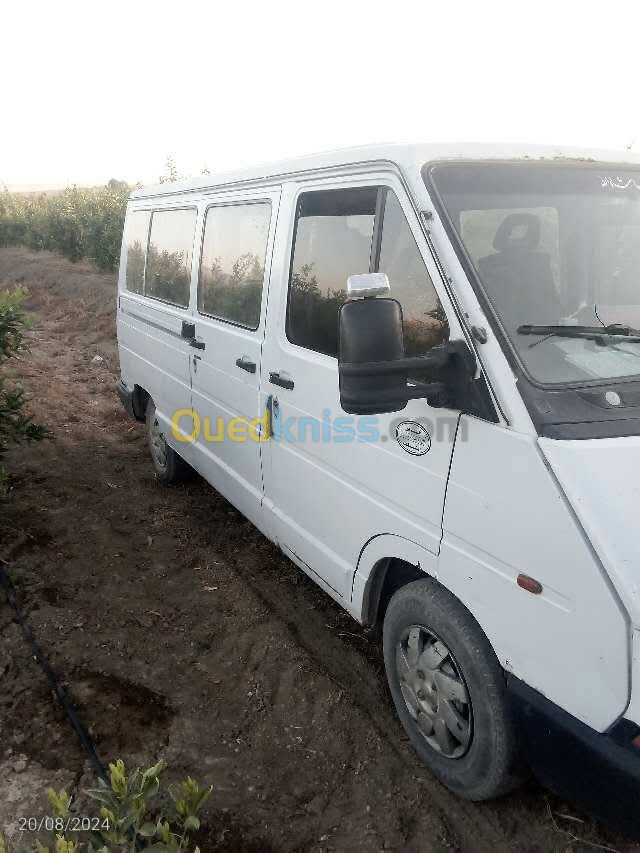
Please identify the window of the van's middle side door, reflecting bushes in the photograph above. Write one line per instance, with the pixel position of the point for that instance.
(233, 262)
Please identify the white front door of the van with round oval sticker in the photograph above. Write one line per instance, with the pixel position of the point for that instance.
(334, 481)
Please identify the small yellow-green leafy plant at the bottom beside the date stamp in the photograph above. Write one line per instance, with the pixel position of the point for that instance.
(126, 822)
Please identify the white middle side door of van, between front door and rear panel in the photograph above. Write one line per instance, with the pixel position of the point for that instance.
(229, 327)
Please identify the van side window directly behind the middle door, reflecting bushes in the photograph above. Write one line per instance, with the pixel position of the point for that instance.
(168, 272)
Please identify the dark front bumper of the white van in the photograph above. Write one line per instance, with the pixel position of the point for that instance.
(600, 772)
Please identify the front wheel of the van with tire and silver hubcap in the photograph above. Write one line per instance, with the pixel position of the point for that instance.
(449, 691)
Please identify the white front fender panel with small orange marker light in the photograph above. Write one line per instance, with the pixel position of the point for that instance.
(504, 516)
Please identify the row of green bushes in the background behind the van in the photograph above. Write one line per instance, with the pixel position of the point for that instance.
(78, 223)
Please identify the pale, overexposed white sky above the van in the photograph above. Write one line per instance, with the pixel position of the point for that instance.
(98, 91)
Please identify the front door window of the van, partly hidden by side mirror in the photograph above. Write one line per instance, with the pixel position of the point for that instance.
(348, 231)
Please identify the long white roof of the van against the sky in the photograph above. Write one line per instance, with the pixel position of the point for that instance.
(406, 156)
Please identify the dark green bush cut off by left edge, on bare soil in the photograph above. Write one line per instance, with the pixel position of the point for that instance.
(15, 425)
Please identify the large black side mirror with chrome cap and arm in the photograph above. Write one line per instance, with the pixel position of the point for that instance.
(372, 367)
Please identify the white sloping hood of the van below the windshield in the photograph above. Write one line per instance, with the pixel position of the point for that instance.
(601, 480)
